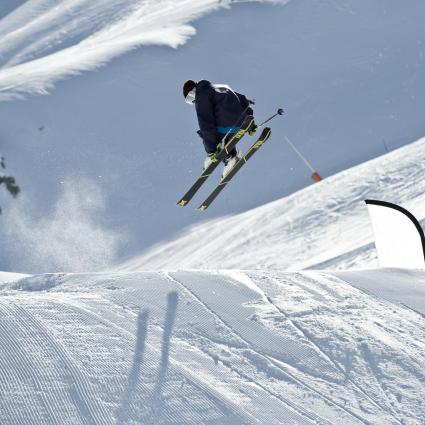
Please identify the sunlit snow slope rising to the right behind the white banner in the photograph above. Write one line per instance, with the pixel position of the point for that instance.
(326, 225)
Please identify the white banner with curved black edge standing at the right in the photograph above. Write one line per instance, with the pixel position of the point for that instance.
(399, 237)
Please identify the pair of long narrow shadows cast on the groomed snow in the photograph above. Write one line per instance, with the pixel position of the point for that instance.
(154, 402)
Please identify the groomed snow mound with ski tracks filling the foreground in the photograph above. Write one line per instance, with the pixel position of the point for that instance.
(209, 348)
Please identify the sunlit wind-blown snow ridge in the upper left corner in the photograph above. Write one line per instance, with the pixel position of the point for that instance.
(45, 40)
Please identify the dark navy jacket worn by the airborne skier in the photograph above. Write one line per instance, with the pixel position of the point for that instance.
(219, 110)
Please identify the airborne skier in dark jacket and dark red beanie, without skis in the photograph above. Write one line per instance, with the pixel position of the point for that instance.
(220, 111)
